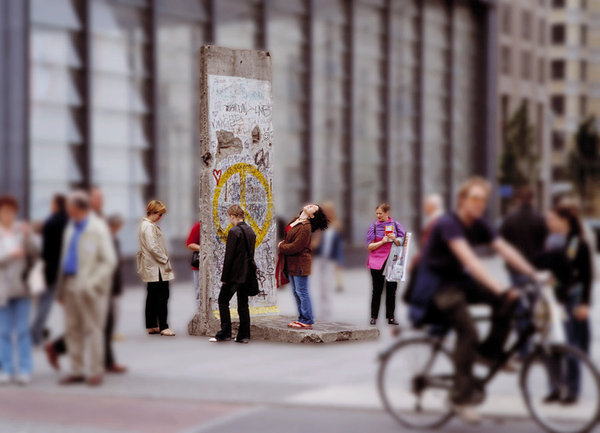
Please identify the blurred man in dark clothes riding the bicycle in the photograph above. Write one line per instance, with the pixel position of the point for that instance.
(451, 277)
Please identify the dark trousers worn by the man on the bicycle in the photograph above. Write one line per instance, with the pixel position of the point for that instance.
(452, 304)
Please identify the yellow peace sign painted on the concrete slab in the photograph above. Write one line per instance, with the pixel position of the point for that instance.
(243, 170)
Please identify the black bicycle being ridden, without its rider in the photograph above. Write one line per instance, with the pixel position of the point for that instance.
(416, 374)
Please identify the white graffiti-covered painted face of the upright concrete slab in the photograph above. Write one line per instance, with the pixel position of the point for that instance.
(240, 156)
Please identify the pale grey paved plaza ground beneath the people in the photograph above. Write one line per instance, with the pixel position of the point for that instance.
(186, 384)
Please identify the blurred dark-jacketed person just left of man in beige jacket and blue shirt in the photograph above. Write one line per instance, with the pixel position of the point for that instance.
(52, 237)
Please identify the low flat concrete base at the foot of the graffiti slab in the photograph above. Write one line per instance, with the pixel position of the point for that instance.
(274, 328)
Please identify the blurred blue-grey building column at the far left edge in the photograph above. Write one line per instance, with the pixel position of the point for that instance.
(14, 101)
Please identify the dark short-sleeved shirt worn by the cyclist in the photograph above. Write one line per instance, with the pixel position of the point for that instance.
(438, 263)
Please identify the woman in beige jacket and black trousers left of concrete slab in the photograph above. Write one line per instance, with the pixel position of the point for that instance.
(154, 267)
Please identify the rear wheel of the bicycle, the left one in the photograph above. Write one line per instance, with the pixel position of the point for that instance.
(414, 381)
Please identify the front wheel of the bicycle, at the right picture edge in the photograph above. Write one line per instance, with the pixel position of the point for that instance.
(548, 369)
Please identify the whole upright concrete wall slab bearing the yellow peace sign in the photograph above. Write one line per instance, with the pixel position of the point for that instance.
(236, 142)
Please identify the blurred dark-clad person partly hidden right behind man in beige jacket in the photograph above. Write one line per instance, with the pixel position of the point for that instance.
(115, 223)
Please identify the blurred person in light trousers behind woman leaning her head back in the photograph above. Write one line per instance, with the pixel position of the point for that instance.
(328, 257)
